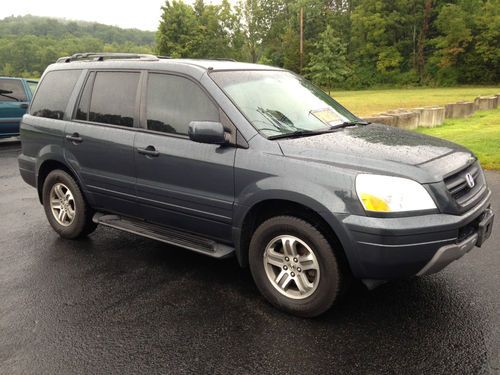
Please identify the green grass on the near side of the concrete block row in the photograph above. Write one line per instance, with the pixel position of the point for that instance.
(480, 133)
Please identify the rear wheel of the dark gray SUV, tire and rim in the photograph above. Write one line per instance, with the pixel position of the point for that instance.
(65, 207)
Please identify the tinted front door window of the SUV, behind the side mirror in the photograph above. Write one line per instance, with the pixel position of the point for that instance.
(173, 102)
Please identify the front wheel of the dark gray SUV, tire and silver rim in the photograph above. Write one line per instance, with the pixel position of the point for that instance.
(294, 266)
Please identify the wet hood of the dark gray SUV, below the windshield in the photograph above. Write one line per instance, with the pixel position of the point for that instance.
(381, 148)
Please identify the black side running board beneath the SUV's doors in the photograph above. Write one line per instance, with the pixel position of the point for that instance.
(170, 236)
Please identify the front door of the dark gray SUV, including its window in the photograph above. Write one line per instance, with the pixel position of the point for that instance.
(182, 184)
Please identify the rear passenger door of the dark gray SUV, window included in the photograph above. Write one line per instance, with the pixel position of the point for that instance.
(99, 140)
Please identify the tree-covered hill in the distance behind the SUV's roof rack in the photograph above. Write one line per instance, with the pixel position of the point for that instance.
(28, 43)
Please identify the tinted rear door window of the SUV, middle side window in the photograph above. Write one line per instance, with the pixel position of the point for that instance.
(113, 98)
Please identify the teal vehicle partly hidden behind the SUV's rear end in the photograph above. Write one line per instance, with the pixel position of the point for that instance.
(15, 97)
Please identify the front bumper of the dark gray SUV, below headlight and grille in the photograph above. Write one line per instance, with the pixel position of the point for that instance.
(392, 248)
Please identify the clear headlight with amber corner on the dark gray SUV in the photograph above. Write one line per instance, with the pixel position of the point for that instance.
(392, 194)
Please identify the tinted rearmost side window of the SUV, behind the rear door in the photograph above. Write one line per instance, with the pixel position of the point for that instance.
(53, 94)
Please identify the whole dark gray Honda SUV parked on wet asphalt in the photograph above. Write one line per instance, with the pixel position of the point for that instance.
(220, 157)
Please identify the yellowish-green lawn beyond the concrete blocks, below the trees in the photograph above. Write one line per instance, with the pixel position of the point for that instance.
(366, 102)
